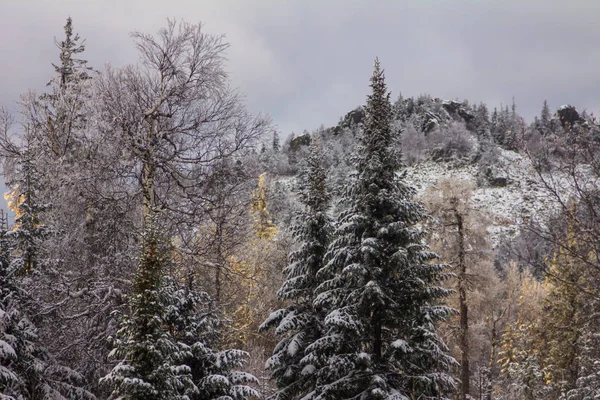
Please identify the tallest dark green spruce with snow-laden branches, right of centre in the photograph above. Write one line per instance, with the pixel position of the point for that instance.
(379, 286)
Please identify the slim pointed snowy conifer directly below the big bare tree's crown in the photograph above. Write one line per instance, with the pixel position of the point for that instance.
(146, 351)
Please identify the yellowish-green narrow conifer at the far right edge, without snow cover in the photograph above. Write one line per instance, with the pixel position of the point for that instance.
(569, 331)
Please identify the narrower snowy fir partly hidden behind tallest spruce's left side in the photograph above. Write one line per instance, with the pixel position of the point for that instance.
(301, 323)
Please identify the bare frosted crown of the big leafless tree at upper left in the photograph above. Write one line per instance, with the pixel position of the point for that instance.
(176, 116)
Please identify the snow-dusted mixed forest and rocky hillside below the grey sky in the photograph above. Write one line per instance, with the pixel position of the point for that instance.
(166, 243)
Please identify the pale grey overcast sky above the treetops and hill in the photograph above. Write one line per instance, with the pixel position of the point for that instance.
(308, 62)
